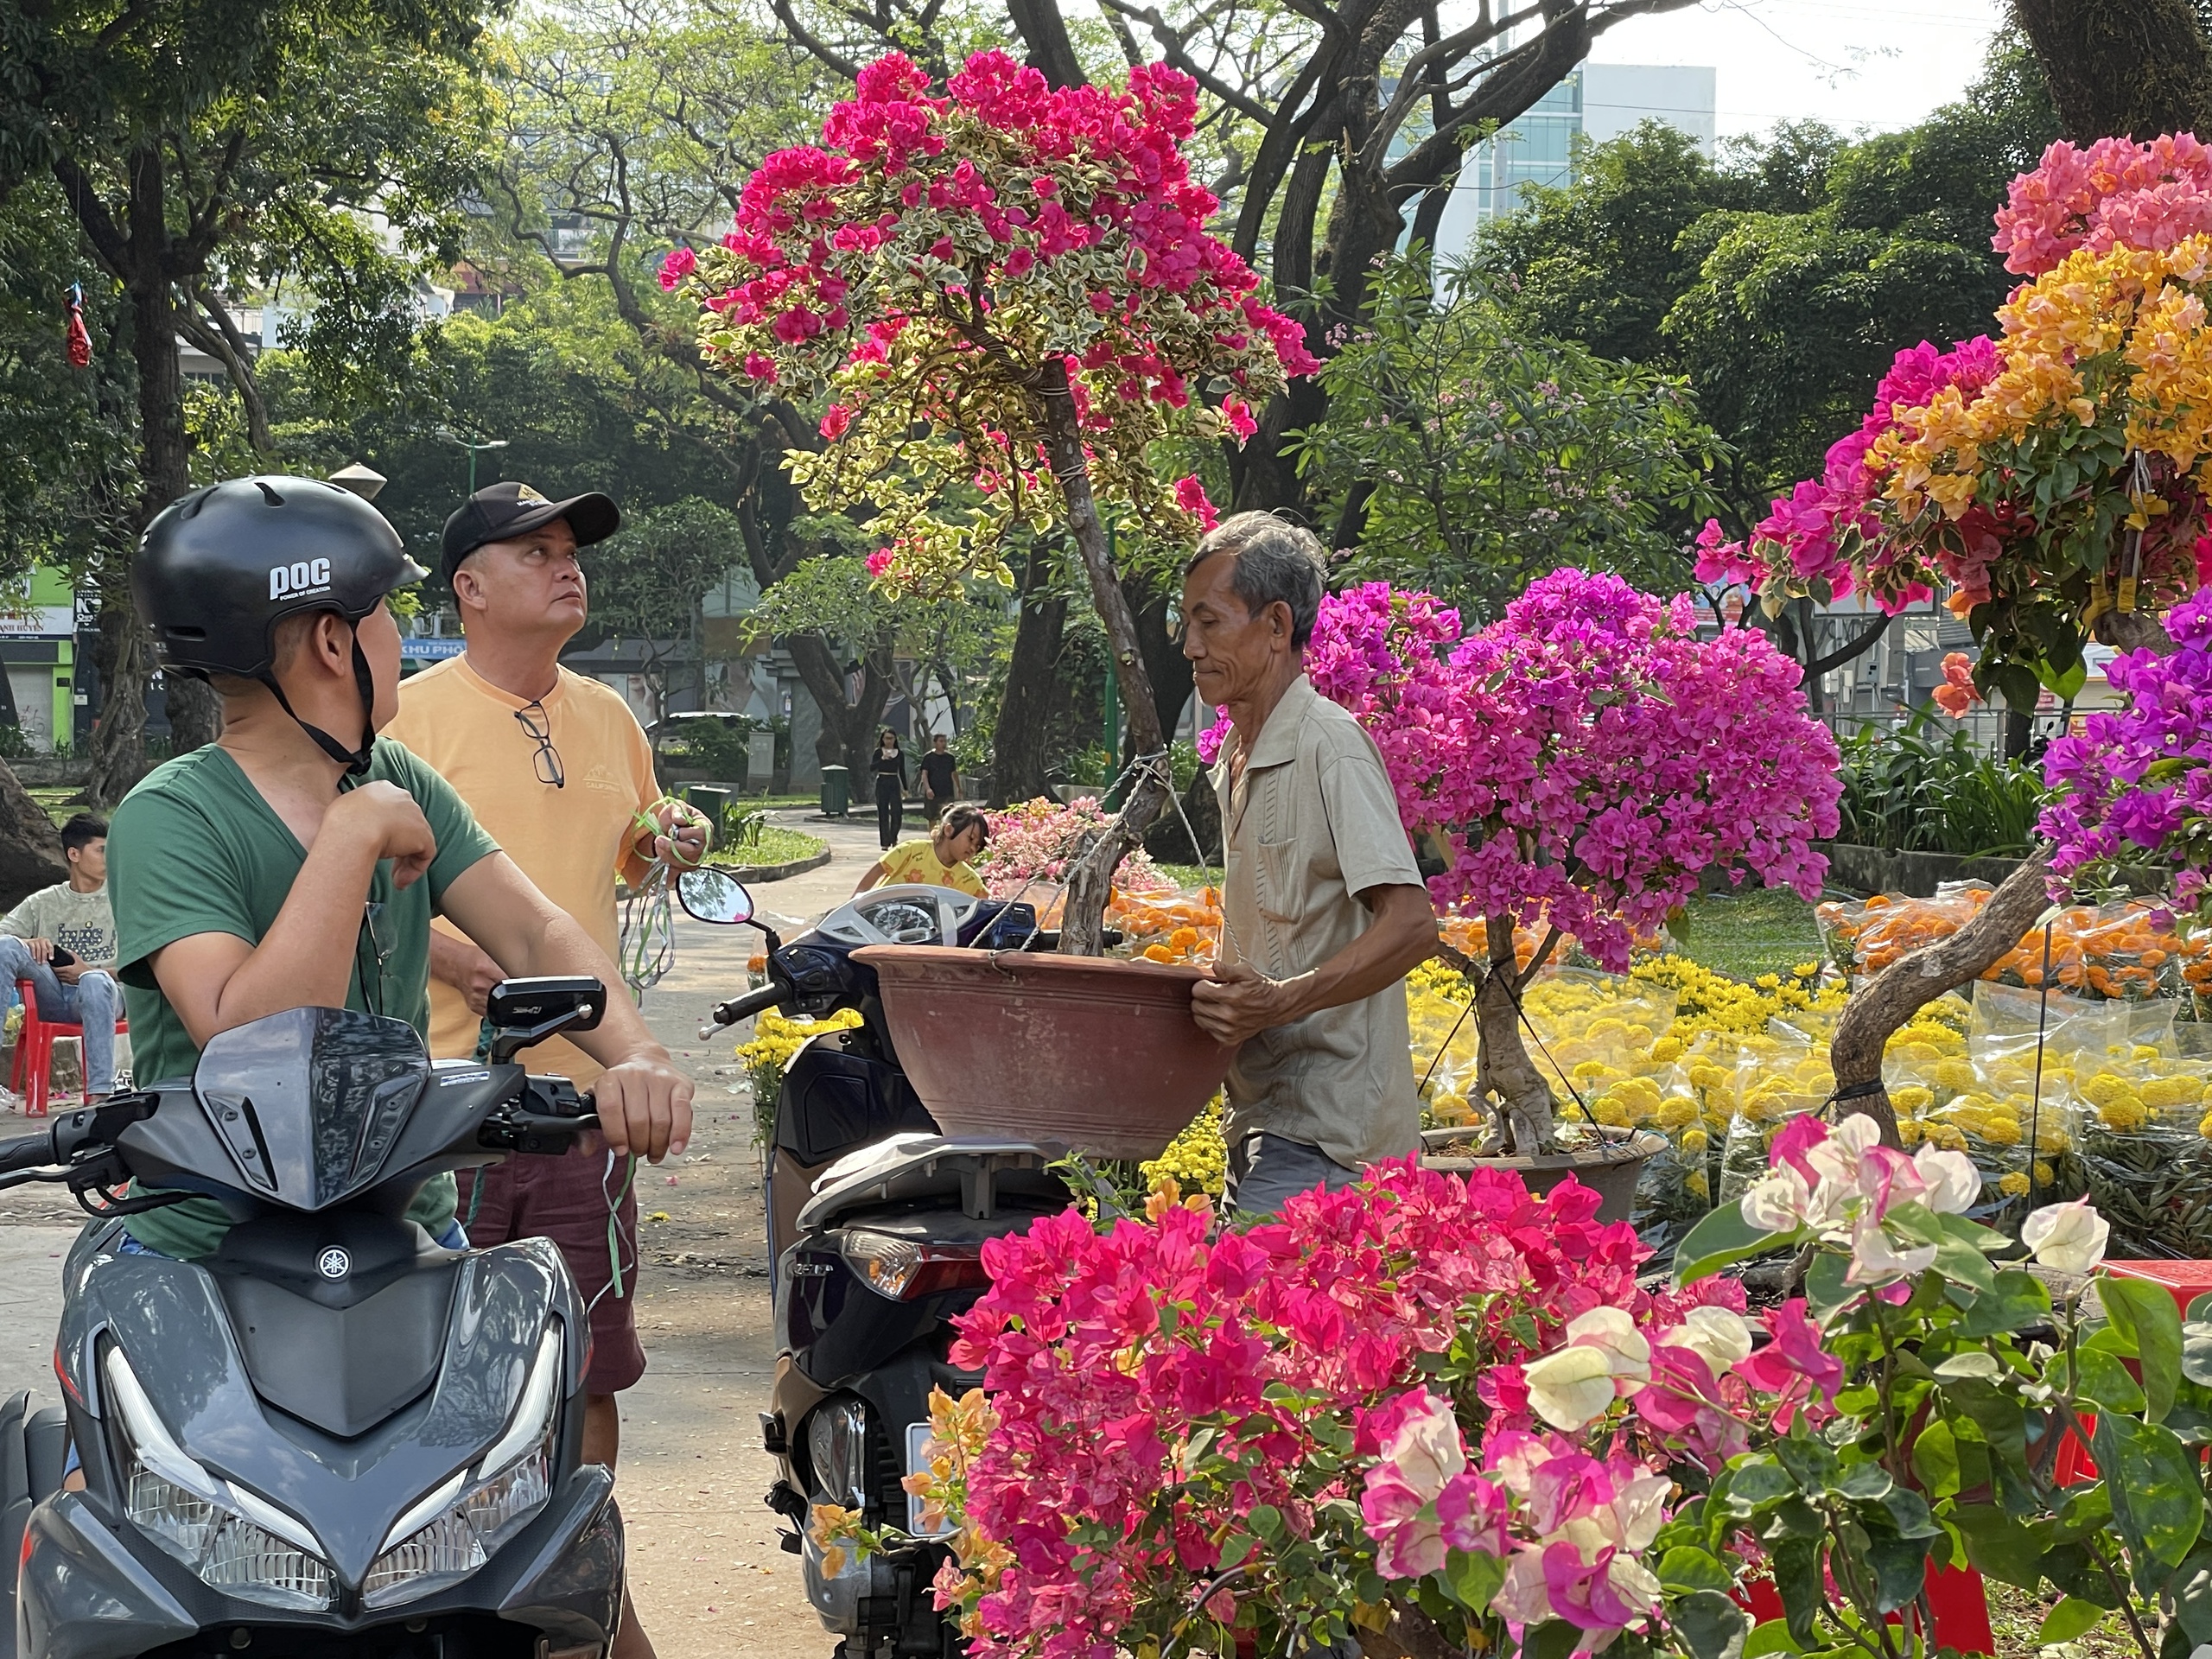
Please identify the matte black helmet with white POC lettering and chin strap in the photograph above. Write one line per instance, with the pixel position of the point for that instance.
(222, 567)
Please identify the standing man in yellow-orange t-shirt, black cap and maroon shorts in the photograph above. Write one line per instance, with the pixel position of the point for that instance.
(561, 775)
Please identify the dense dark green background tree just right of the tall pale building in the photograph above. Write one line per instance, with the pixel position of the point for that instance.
(1782, 278)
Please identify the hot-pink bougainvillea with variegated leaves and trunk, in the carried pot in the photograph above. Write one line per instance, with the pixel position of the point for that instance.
(1008, 295)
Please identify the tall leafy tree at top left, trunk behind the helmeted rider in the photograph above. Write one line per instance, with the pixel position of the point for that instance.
(213, 145)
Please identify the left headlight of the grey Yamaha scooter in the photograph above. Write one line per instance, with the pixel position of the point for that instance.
(233, 1541)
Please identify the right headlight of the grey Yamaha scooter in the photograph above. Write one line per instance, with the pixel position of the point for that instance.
(457, 1527)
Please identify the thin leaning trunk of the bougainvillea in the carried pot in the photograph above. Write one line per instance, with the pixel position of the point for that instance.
(1092, 877)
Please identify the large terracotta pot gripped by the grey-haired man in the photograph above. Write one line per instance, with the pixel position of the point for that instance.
(1074, 1052)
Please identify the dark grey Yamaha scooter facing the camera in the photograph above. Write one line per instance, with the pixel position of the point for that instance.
(333, 1437)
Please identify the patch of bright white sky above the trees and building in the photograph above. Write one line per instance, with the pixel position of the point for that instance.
(1870, 65)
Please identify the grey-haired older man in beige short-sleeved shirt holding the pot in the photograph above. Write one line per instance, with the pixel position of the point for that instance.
(1324, 906)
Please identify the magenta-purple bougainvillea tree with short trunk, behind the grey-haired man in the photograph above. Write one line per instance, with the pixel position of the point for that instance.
(1583, 764)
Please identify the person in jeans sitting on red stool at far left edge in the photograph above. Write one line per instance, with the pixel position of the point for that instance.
(72, 921)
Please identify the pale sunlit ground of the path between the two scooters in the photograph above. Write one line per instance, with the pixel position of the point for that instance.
(705, 1563)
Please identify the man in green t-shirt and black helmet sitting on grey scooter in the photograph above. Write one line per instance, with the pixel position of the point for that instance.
(298, 862)
